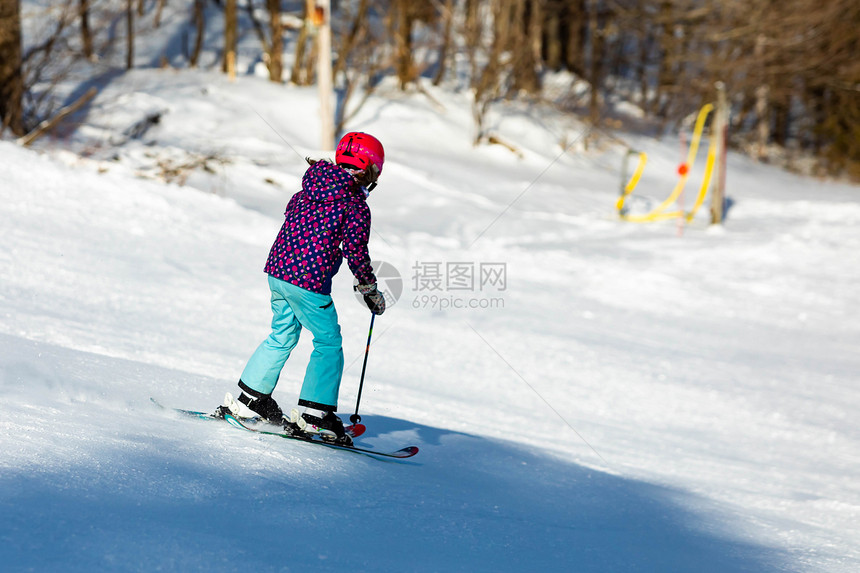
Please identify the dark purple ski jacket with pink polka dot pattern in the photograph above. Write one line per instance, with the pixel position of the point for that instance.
(327, 221)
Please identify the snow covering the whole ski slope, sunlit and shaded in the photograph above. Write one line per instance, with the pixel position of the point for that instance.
(629, 400)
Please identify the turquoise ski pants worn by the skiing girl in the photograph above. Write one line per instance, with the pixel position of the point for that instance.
(293, 308)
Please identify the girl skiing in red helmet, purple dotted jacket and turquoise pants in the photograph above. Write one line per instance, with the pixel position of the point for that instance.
(325, 222)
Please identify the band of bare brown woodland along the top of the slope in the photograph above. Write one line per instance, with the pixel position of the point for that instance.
(791, 68)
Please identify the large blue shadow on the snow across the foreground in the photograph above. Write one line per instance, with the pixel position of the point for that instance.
(464, 504)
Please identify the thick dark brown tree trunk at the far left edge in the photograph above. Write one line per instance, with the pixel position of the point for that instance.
(11, 77)
